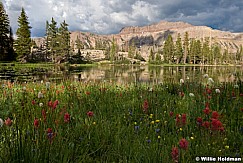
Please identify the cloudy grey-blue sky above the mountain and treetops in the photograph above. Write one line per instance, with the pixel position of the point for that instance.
(109, 16)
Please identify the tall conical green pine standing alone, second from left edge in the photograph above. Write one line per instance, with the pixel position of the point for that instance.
(23, 42)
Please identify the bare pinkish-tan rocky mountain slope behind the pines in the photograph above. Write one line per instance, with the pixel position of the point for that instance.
(154, 35)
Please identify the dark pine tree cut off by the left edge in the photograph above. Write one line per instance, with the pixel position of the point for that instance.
(4, 32)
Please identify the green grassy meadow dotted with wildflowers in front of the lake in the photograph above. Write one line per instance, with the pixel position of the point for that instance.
(111, 122)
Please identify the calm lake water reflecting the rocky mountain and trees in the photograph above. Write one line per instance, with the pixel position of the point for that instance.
(121, 73)
